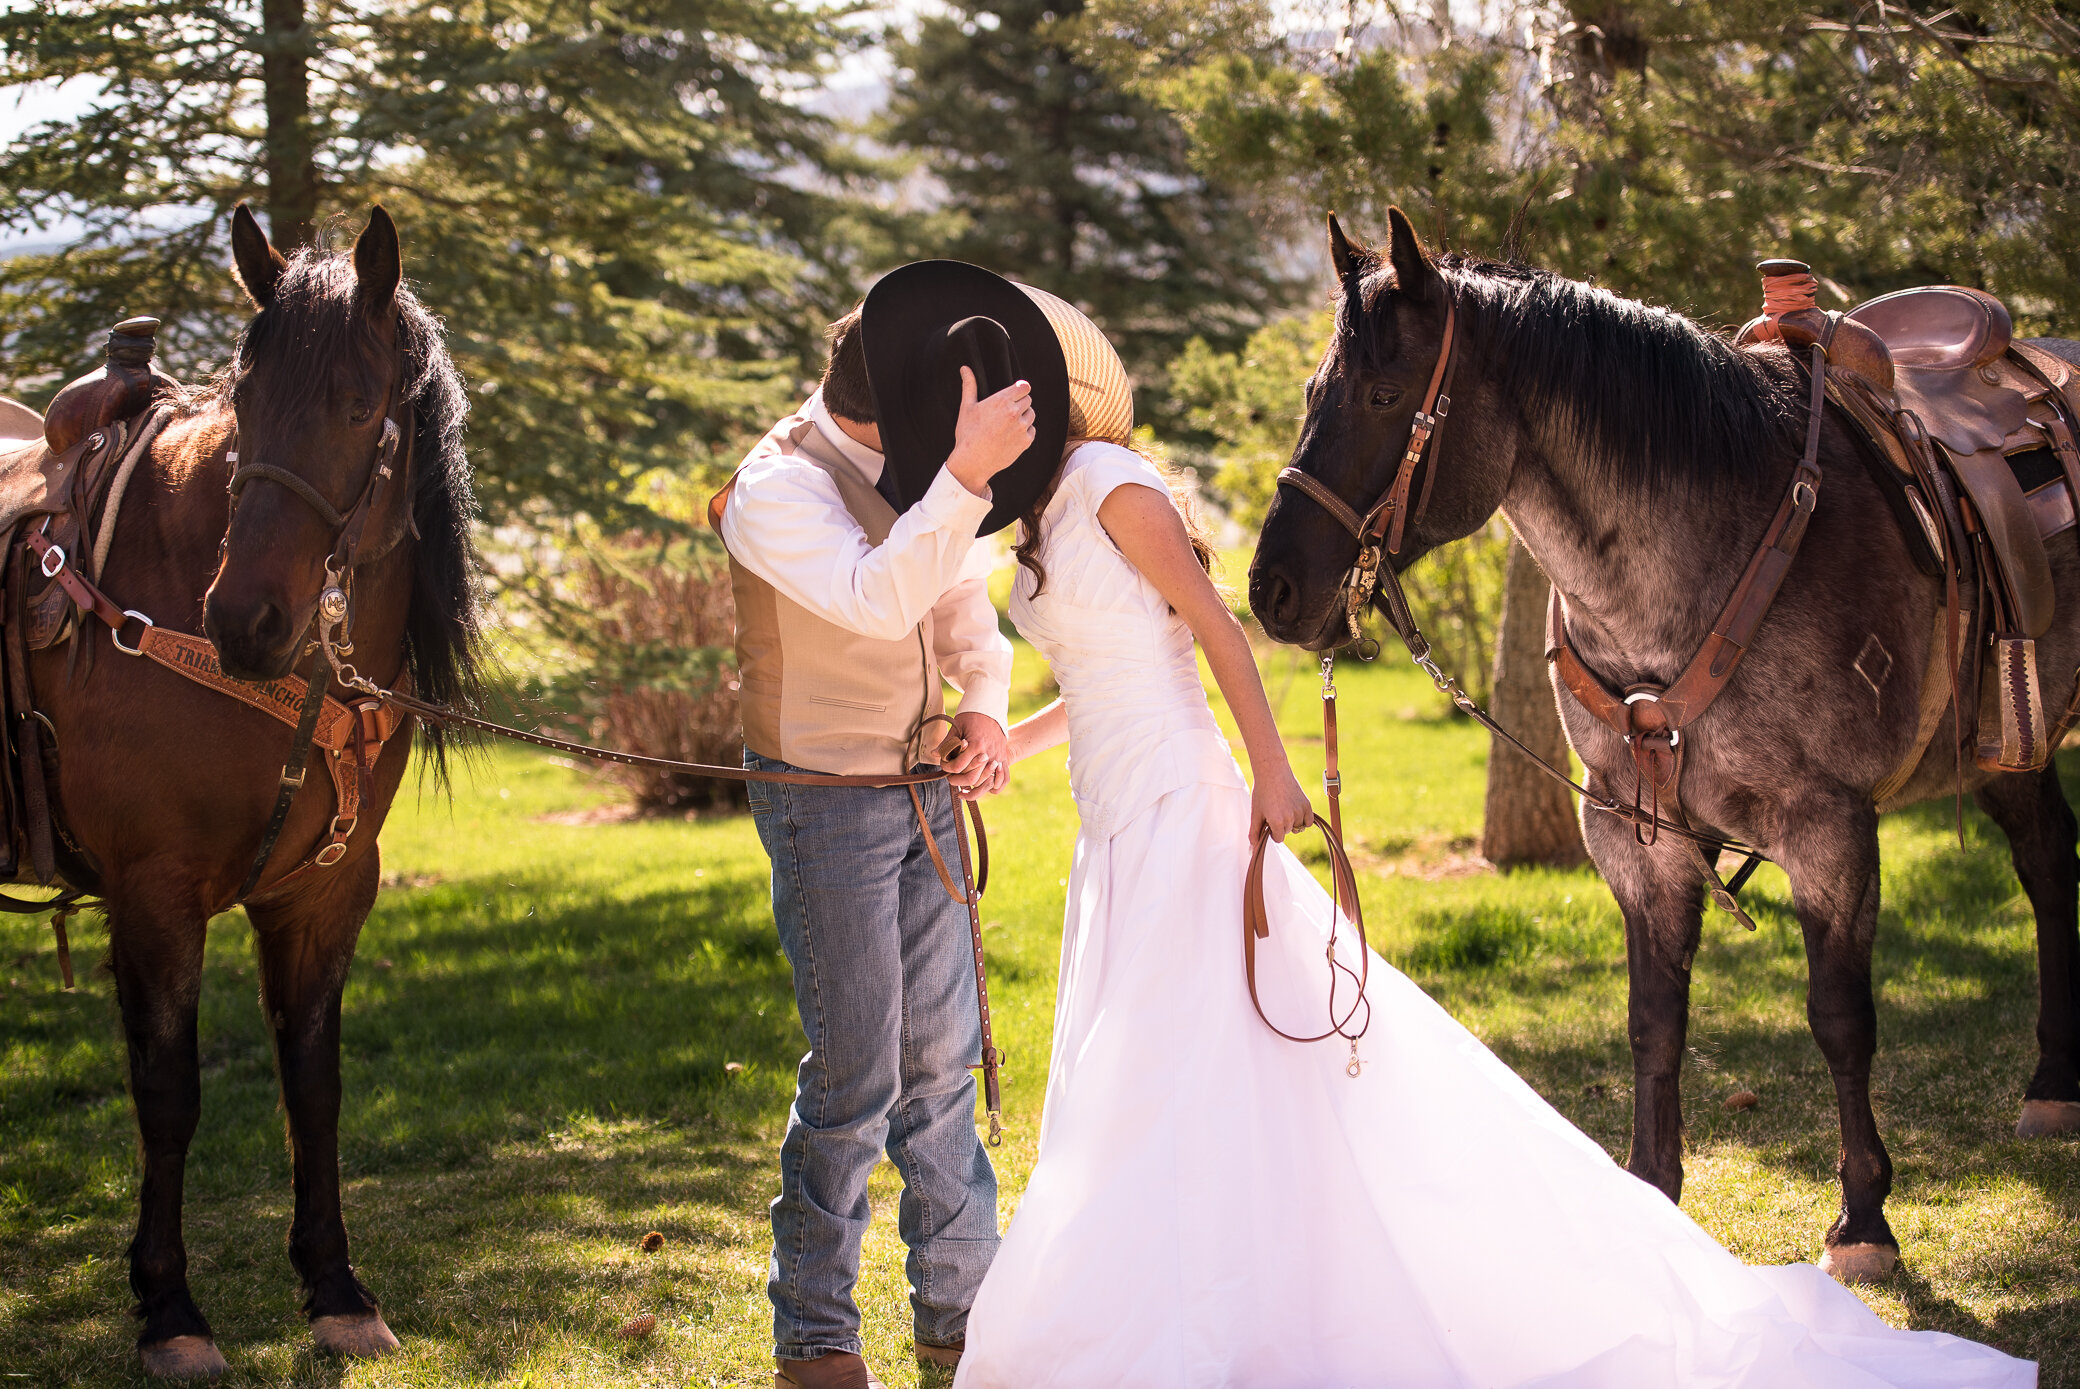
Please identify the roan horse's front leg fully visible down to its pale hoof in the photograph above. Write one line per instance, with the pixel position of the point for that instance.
(1829, 849)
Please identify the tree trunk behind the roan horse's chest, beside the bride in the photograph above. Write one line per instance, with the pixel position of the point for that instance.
(1530, 816)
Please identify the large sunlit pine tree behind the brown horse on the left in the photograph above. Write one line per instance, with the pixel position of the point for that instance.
(606, 203)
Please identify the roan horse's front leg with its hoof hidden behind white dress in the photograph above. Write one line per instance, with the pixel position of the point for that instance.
(1661, 895)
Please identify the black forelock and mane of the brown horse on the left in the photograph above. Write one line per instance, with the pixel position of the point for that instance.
(315, 309)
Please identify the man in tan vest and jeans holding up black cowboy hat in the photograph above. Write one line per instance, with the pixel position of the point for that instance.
(860, 589)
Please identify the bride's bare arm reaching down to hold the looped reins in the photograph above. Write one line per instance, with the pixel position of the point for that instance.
(1151, 535)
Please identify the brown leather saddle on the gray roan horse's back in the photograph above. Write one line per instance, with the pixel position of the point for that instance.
(1979, 431)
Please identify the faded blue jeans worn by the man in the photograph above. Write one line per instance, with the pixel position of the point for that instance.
(887, 993)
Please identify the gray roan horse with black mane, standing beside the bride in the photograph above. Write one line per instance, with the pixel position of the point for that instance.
(1640, 458)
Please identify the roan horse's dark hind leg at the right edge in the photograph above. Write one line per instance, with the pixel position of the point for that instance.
(2039, 824)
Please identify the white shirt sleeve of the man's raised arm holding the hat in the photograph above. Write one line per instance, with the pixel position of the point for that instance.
(787, 525)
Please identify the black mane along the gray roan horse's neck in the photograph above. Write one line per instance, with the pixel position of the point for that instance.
(1642, 394)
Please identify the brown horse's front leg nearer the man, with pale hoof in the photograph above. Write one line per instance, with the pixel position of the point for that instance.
(307, 947)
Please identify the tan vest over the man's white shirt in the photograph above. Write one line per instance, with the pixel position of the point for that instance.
(814, 693)
